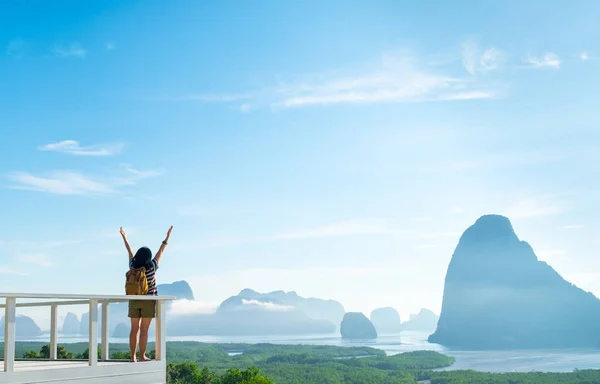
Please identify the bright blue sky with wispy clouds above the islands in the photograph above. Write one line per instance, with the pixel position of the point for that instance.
(335, 148)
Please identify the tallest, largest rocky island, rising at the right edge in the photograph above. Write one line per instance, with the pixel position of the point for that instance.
(498, 295)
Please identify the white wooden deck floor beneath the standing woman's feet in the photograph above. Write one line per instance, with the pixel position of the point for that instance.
(78, 371)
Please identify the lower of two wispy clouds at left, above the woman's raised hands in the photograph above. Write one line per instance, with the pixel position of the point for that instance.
(68, 182)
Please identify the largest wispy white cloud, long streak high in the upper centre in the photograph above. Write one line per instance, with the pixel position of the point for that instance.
(396, 79)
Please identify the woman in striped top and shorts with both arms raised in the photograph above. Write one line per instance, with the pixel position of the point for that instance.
(141, 312)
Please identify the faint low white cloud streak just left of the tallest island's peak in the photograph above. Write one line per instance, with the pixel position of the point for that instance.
(345, 228)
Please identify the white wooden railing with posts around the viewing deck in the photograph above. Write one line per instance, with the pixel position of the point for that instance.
(92, 301)
